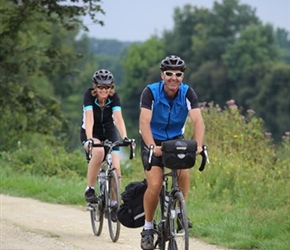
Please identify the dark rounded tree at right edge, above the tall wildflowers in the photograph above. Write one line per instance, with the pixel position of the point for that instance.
(267, 94)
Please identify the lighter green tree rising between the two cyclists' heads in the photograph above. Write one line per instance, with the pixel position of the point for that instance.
(138, 63)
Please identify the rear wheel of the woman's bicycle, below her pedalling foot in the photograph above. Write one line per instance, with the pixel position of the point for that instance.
(97, 213)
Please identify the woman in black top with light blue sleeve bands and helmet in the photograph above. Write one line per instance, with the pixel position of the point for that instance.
(101, 116)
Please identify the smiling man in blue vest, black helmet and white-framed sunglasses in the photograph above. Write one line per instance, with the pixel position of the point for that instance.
(164, 108)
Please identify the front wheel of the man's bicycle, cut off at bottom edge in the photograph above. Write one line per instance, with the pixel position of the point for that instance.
(178, 224)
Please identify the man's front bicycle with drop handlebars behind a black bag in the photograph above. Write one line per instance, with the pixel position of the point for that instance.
(170, 218)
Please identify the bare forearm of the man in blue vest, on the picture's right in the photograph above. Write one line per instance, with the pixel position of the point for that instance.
(198, 126)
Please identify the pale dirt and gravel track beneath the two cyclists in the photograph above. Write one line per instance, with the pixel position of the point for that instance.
(28, 224)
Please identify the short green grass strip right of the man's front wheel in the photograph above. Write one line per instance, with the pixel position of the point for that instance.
(241, 227)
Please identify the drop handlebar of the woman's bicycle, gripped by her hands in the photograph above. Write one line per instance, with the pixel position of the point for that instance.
(109, 145)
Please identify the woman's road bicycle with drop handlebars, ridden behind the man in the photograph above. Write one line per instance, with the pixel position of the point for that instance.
(108, 190)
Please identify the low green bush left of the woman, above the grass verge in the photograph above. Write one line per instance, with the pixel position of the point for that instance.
(45, 158)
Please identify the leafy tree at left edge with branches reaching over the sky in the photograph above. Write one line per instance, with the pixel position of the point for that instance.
(29, 57)
